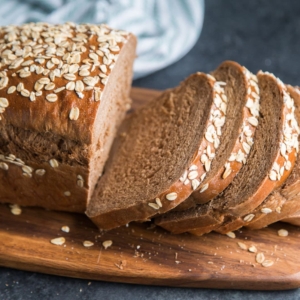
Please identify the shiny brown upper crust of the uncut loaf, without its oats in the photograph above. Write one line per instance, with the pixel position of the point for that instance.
(41, 115)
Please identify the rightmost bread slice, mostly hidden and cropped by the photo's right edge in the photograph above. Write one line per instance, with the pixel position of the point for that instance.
(283, 204)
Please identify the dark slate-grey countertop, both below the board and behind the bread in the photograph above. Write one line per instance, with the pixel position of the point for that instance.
(258, 34)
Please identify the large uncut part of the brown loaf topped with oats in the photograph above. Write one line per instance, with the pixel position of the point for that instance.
(64, 90)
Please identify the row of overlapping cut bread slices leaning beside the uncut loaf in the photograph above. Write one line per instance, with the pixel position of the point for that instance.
(244, 169)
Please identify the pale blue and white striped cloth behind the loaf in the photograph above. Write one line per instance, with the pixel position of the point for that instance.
(166, 29)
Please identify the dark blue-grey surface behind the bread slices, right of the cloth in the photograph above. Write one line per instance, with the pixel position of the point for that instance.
(259, 34)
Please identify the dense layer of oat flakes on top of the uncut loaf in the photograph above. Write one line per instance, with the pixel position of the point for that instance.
(57, 51)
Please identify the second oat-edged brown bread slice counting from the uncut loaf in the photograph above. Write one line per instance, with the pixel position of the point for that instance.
(237, 134)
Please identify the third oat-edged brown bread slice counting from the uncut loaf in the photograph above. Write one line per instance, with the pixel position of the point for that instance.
(256, 179)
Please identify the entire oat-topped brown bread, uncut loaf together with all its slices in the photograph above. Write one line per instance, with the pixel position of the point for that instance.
(216, 153)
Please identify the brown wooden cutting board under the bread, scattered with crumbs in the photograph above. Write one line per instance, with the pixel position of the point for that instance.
(144, 255)
